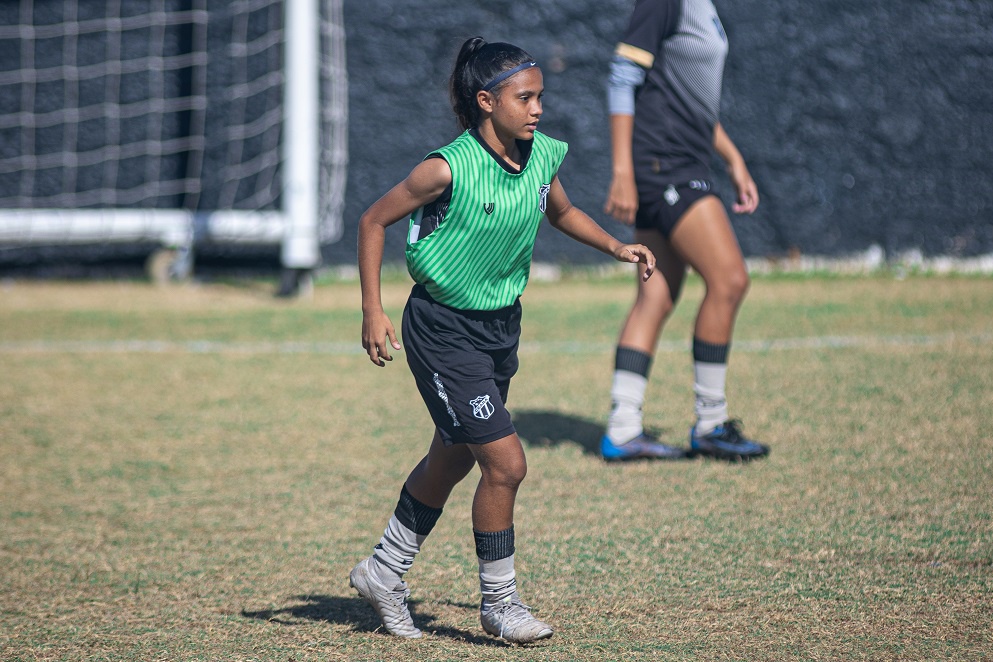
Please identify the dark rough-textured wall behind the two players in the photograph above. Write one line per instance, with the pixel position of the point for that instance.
(863, 123)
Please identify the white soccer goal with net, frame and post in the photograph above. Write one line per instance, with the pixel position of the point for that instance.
(173, 121)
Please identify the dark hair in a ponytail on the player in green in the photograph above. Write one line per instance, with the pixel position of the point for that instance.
(477, 64)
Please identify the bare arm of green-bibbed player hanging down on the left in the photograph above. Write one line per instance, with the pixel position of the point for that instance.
(424, 184)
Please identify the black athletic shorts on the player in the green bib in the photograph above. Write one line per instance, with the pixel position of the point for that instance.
(462, 362)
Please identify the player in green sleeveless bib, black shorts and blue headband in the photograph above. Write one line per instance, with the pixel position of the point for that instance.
(474, 208)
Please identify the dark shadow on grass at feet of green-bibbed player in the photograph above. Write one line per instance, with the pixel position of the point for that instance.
(357, 613)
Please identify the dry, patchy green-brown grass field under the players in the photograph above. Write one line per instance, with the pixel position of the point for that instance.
(189, 473)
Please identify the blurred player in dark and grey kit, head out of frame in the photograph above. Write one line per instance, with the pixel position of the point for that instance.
(664, 97)
